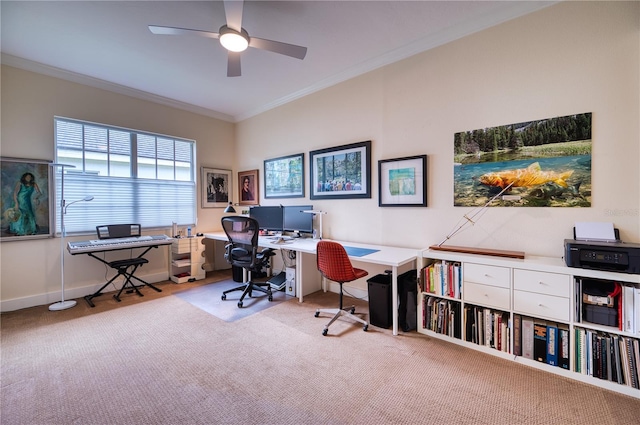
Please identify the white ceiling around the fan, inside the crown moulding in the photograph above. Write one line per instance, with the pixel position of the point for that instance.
(107, 44)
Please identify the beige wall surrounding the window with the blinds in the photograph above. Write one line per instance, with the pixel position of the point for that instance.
(30, 269)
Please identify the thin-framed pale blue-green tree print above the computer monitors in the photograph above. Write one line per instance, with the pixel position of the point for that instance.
(284, 177)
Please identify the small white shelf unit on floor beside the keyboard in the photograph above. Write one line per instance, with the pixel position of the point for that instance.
(187, 259)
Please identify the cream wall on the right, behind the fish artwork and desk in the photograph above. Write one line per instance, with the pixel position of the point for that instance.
(571, 58)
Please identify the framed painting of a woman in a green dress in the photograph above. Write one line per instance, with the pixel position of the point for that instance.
(25, 199)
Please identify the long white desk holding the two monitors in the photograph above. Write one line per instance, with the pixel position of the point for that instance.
(307, 273)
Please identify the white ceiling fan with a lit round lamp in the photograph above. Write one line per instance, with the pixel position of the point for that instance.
(235, 39)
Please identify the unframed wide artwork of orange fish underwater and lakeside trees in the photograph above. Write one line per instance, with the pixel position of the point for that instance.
(543, 163)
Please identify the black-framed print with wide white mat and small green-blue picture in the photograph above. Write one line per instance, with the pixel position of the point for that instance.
(402, 182)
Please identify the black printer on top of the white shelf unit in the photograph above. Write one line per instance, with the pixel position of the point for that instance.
(610, 256)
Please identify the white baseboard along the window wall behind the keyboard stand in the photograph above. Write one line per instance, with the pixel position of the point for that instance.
(71, 293)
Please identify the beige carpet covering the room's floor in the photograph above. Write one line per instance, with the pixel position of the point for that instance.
(161, 360)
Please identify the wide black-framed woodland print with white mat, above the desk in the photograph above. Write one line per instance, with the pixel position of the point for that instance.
(341, 172)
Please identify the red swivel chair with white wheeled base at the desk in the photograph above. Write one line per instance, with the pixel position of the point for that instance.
(334, 264)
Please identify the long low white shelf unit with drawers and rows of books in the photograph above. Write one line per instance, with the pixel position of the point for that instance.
(539, 288)
